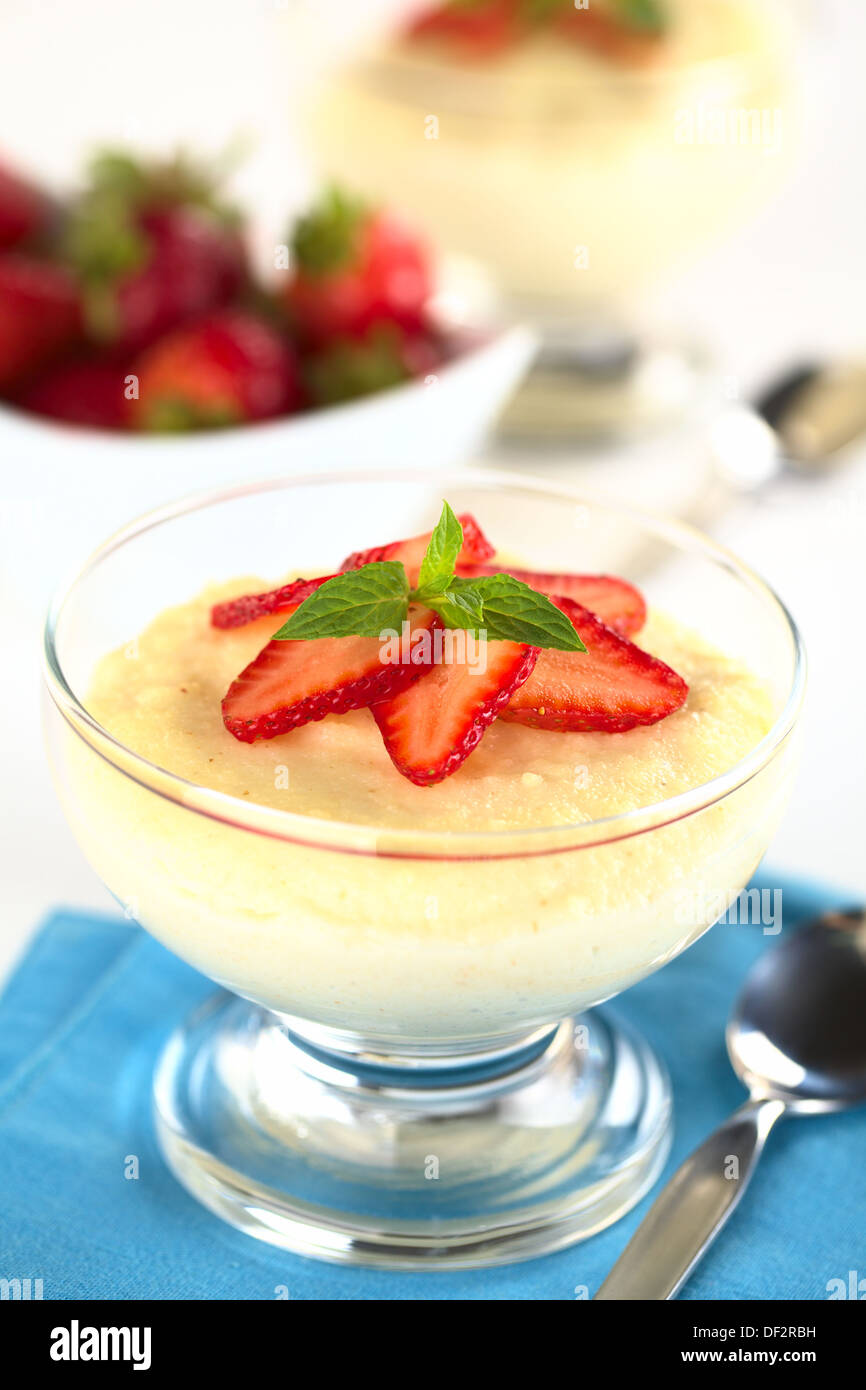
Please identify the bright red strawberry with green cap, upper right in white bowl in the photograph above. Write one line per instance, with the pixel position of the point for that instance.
(355, 269)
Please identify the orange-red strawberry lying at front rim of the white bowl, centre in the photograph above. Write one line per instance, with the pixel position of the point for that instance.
(226, 370)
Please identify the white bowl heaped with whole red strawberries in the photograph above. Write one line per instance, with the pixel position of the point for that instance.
(141, 359)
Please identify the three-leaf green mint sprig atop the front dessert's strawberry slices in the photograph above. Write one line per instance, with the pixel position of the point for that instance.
(376, 598)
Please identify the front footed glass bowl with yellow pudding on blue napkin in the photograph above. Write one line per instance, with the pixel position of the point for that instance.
(398, 1075)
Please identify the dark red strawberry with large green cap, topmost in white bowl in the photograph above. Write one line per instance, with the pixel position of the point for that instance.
(154, 251)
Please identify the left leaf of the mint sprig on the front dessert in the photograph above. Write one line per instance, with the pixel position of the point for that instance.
(358, 604)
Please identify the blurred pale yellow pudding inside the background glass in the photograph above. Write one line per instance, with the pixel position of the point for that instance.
(576, 179)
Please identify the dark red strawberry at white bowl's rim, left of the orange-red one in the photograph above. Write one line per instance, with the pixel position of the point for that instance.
(88, 391)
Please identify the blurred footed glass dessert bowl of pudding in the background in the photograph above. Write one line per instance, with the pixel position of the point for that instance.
(580, 177)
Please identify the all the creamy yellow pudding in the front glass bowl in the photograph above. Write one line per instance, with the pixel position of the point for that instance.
(387, 940)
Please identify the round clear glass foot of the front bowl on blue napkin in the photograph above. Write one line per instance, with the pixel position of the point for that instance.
(365, 1161)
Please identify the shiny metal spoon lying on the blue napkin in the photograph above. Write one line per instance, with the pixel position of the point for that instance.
(797, 1040)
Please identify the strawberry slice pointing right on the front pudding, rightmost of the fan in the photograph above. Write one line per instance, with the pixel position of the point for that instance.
(614, 686)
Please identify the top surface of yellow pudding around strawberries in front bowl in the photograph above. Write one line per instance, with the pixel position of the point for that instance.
(165, 704)
